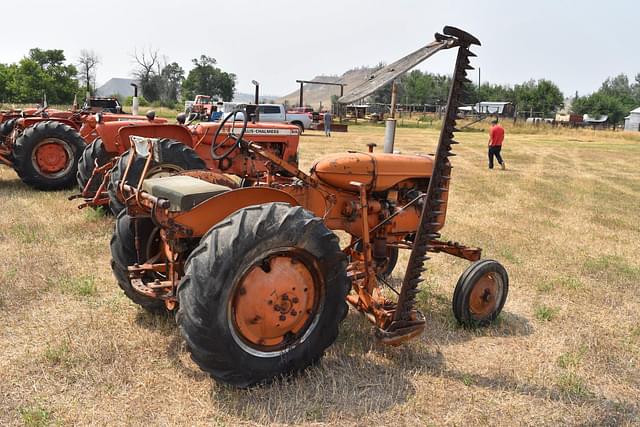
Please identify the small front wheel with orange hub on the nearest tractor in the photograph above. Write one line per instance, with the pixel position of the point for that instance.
(480, 293)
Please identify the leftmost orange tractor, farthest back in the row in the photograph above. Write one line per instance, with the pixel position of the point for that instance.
(44, 146)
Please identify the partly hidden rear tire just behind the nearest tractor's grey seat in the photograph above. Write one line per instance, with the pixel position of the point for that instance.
(174, 156)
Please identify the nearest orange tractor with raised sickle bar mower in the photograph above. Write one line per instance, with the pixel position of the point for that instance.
(257, 275)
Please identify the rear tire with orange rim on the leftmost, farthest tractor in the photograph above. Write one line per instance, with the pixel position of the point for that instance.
(60, 147)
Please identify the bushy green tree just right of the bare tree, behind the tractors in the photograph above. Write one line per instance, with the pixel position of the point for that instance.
(207, 79)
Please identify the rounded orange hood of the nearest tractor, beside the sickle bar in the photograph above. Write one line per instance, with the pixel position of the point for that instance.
(378, 171)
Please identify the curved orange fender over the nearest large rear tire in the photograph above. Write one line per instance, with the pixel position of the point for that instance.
(210, 212)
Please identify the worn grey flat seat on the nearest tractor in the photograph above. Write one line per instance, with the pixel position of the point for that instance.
(182, 192)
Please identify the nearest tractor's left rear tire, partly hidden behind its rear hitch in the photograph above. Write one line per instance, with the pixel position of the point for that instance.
(123, 253)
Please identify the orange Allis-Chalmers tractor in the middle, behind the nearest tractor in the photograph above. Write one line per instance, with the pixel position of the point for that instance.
(179, 148)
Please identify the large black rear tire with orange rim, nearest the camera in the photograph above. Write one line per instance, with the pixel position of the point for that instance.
(241, 273)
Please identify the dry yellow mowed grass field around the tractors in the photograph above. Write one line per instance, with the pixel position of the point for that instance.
(563, 218)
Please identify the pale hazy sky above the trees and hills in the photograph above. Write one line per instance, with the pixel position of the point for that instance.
(576, 44)
